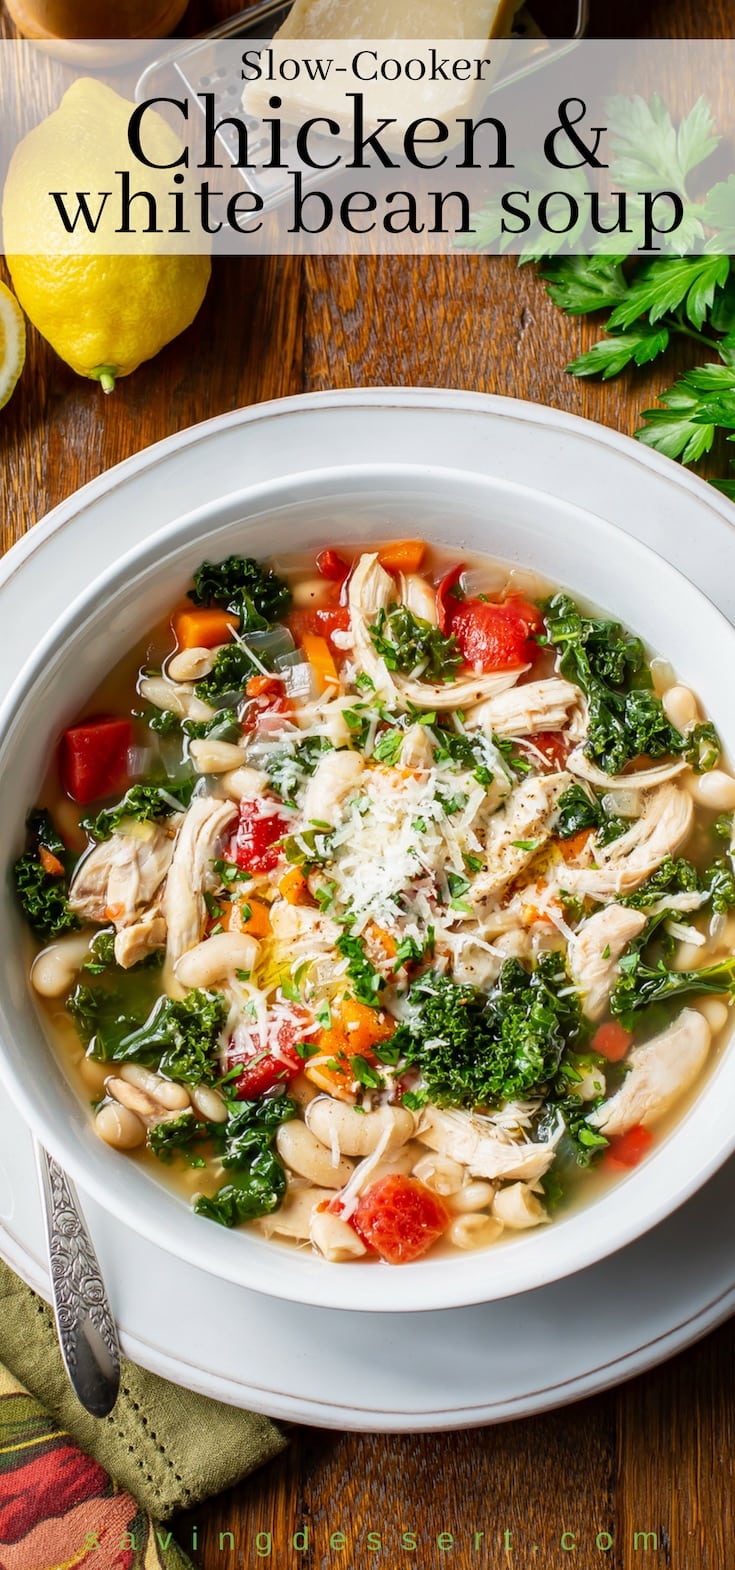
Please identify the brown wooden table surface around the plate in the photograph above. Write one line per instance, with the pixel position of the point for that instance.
(657, 1455)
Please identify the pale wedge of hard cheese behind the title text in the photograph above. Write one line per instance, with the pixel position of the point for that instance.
(409, 60)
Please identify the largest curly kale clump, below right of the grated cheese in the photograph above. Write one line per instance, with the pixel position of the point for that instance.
(480, 1050)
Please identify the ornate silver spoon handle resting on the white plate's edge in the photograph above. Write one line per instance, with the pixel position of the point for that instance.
(86, 1326)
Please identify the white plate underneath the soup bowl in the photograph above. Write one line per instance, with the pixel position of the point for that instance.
(430, 1371)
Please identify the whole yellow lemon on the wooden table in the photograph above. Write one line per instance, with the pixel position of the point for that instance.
(104, 313)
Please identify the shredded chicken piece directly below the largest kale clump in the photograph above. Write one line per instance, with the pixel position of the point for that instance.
(483, 1148)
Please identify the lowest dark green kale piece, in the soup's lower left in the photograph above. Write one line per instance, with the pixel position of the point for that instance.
(258, 1181)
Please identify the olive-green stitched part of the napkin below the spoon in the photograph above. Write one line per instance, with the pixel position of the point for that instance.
(166, 1445)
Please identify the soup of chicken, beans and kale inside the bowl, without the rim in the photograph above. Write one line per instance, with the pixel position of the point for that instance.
(382, 900)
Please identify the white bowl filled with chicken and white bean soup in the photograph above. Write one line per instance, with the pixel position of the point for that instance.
(370, 889)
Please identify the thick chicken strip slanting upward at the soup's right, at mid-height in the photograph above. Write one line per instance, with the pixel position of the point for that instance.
(626, 863)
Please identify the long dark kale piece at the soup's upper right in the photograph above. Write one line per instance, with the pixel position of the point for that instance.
(624, 717)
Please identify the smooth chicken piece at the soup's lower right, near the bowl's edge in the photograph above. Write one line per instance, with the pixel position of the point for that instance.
(660, 1073)
